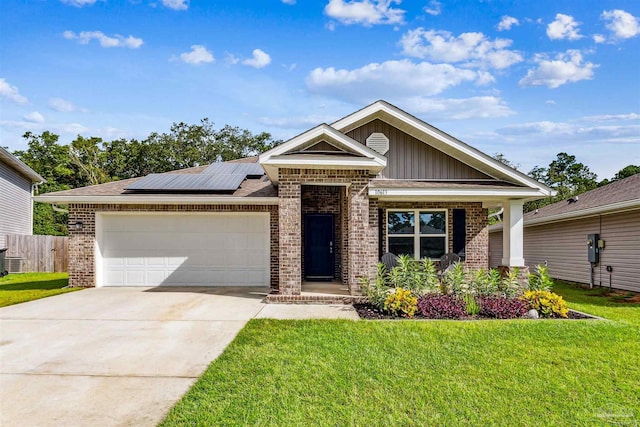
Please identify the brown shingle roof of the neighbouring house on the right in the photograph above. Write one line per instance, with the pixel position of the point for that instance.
(625, 190)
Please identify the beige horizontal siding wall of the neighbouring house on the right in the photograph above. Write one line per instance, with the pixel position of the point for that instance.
(563, 245)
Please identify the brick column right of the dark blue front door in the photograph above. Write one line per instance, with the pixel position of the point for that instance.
(362, 248)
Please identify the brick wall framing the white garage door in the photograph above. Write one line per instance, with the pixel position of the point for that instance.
(82, 242)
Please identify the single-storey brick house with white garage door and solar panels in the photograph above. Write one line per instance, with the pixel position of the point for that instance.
(322, 206)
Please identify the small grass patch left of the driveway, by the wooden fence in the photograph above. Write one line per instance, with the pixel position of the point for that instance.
(17, 288)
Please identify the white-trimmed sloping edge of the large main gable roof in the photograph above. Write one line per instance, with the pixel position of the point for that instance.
(440, 140)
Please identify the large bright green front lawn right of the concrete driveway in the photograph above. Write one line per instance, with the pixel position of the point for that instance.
(494, 373)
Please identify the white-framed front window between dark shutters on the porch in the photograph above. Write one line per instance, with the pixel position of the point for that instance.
(418, 233)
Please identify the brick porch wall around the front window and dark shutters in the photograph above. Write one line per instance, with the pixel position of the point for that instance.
(477, 232)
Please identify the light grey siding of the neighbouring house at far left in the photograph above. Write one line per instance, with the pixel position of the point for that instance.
(15, 204)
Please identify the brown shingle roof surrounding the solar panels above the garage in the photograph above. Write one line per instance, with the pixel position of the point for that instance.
(257, 187)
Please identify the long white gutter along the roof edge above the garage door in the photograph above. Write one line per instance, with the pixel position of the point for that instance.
(156, 200)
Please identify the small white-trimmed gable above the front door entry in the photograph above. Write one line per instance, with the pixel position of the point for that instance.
(354, 156)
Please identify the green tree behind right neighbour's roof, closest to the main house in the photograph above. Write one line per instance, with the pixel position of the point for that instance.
(566, 176)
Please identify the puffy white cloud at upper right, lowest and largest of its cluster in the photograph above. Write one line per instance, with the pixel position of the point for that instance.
(567, 67)
